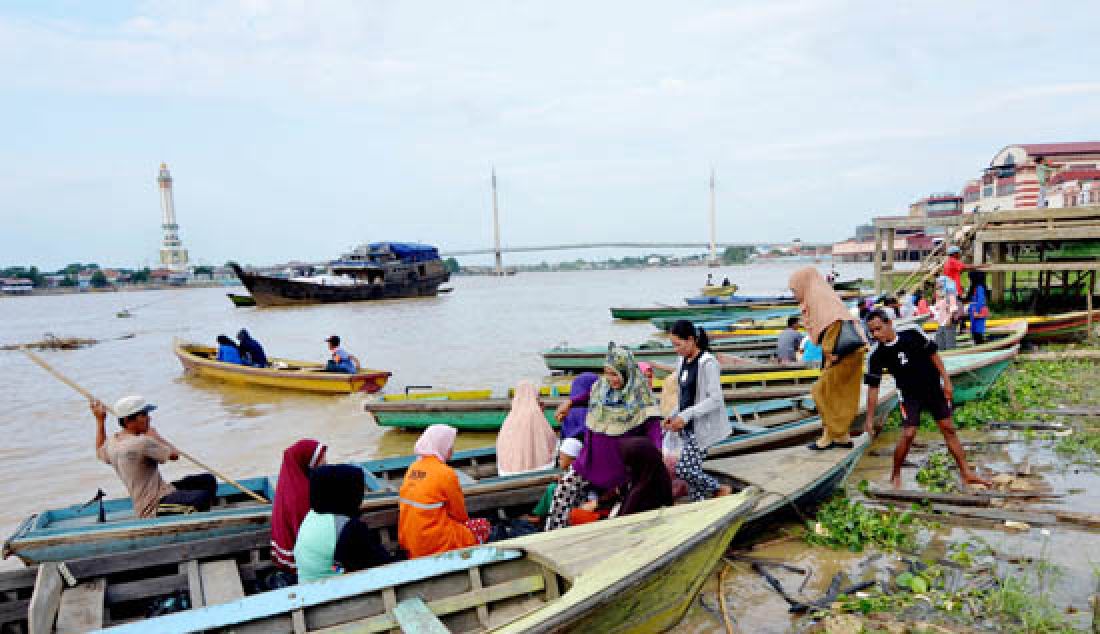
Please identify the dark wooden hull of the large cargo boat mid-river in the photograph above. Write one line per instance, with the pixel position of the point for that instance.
(270, 291)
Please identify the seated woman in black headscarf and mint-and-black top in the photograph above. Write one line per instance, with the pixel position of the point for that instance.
(333, 540)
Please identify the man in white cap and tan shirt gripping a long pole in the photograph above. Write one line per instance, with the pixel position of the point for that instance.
(136, 454)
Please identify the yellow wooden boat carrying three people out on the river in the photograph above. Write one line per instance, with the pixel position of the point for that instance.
(284, 374)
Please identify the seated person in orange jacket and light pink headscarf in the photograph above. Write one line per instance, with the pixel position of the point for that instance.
(432, 508)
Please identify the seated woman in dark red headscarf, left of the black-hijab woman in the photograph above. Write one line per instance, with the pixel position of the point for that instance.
(292, 499)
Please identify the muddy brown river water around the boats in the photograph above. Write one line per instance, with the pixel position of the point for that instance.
(488, 333)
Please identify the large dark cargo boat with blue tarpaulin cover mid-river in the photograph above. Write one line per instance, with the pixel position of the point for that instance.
(377, 271)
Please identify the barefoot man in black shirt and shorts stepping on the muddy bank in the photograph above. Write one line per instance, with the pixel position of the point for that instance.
(912, 360)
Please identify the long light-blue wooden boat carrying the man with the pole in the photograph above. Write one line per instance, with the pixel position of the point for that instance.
(74, 532)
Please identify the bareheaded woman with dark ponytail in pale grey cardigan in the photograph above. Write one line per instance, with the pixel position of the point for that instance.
(701, 420)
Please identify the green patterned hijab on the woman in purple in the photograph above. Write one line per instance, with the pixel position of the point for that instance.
(617, 412)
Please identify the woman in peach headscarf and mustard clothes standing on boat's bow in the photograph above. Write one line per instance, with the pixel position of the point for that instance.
(837, 392)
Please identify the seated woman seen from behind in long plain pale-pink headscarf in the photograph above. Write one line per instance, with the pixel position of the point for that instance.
(526, 442)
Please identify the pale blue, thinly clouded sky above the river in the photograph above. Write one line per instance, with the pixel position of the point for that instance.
(299, 129)
